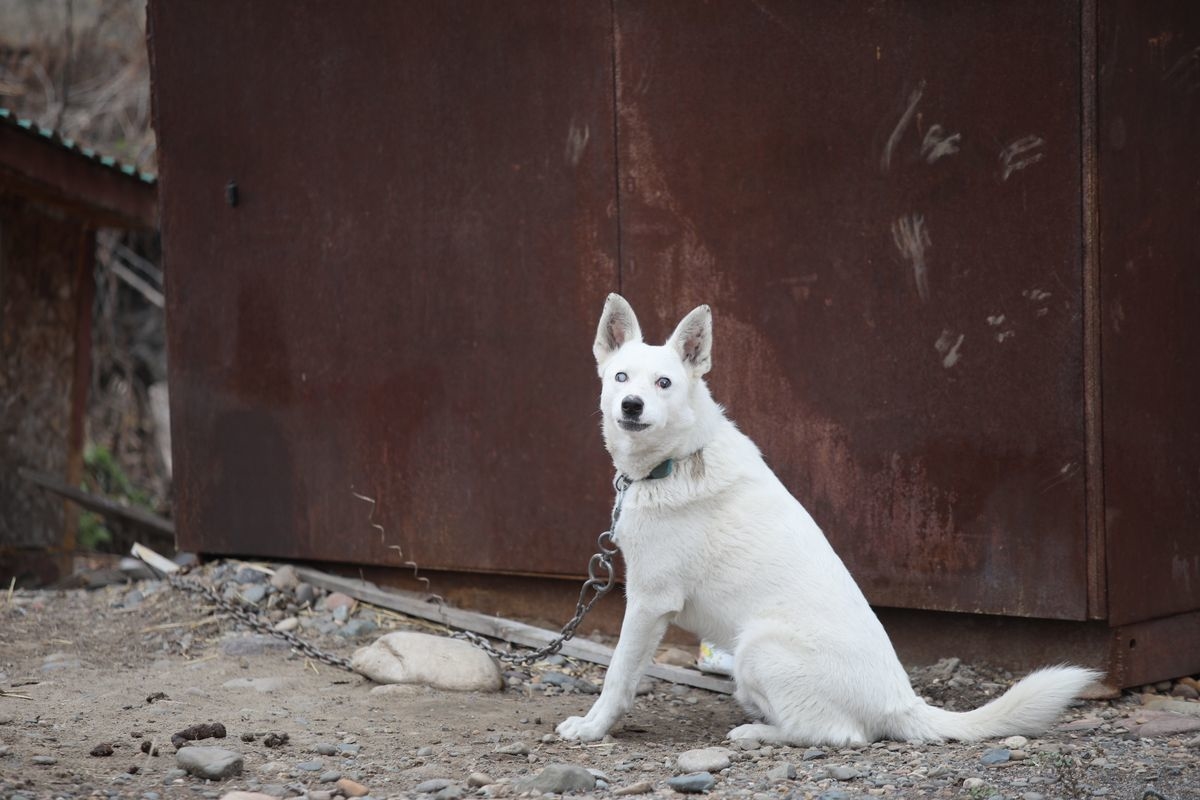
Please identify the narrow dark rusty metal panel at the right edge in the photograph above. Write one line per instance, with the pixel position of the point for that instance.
(1149, 115)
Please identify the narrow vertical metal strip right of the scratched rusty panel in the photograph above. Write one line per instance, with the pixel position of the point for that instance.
(1094, 446)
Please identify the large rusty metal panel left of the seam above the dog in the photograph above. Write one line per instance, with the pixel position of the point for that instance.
(399, 298)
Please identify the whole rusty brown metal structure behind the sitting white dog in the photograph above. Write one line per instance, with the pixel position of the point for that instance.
(951, 250)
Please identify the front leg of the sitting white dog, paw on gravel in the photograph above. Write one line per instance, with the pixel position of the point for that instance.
(640, 634)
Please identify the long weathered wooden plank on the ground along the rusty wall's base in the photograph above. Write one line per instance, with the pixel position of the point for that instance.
(497, 628)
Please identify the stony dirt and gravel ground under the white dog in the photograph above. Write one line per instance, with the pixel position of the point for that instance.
(94, 685)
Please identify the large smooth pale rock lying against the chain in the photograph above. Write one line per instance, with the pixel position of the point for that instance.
(410, 658)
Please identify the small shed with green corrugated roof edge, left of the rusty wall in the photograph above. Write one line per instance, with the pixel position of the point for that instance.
(55, 195)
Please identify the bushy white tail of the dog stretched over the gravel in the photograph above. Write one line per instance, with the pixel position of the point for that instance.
(1030, 707)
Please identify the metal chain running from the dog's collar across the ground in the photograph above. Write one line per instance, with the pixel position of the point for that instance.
(602, 576)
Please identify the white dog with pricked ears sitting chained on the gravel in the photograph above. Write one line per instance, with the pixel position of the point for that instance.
(715, 544)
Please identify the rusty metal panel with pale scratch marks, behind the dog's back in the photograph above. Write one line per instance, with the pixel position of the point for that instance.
(883, 203)
